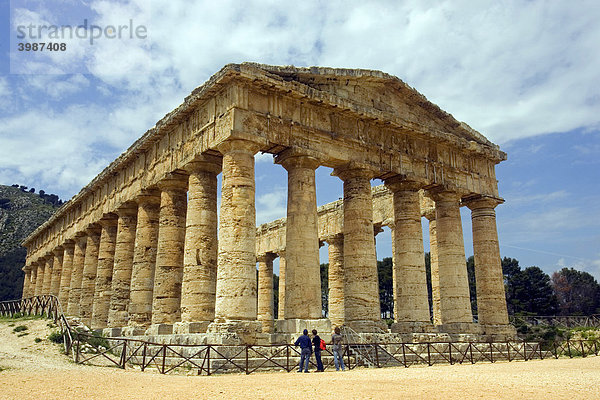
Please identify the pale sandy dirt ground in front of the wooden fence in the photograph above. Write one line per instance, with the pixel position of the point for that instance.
(37, 371)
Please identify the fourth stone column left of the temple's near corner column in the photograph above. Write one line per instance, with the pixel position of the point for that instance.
(123, 264)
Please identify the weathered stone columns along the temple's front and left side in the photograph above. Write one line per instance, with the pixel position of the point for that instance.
(154, 261)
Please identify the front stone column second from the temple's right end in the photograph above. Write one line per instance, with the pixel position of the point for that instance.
(455, 304)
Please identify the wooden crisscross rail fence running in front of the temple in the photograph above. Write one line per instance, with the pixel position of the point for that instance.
(208, 359)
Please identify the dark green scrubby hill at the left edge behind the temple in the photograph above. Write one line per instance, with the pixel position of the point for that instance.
(21, 212)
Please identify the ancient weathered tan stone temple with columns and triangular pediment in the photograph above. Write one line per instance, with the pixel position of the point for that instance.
(142, 250)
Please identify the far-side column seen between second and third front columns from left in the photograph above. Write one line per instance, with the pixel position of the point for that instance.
(336, 279)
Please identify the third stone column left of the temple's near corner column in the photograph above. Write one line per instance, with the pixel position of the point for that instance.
(144, 261)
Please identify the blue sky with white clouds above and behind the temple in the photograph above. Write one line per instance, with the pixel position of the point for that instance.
(526, 74)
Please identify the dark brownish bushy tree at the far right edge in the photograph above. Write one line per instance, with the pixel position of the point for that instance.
(578, 292)
